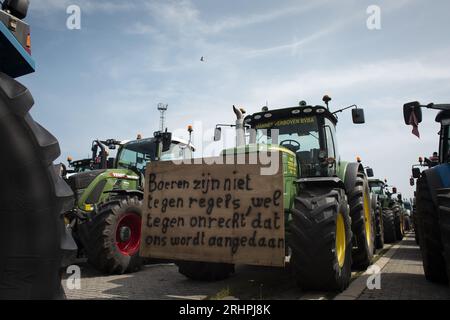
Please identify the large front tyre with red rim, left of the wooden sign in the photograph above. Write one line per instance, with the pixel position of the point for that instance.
(112, 238)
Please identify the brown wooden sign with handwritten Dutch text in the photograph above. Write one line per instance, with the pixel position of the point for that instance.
(213, 213)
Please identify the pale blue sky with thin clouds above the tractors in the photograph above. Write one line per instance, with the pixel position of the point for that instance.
(105, 80)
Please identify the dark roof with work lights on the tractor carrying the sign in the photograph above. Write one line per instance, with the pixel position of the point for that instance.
(287, 113)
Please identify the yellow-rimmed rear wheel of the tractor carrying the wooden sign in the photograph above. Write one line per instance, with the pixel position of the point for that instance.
(361, 214)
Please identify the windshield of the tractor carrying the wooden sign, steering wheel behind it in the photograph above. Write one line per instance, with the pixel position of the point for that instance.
(300, 135)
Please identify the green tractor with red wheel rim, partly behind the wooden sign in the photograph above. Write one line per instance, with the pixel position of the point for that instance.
(106, 220)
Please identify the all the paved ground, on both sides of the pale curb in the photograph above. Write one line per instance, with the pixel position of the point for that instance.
(402, 278)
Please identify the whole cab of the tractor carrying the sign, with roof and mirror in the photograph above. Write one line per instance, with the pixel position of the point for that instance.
(308, 132)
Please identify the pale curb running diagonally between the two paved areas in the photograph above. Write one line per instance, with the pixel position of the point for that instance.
(358, 285)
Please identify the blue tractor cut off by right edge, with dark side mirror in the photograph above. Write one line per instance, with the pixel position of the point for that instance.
(433, 195)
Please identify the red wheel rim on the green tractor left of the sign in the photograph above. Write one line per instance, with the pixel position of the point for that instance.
(128, 234)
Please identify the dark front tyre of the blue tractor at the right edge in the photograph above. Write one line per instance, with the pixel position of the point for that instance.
(429, 233)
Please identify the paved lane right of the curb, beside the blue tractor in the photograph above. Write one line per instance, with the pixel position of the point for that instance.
(402, 278)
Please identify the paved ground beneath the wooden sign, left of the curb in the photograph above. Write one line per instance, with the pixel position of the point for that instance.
(162, 281)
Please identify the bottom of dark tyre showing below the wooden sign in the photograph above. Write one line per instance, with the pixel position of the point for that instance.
(205, 271)
